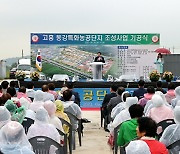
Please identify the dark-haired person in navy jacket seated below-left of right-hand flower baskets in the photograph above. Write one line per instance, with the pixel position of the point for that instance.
(139, 93)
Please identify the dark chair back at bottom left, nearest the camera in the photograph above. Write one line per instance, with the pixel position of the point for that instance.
(43, 145)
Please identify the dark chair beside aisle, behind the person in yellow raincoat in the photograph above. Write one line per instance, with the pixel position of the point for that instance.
(70, 133)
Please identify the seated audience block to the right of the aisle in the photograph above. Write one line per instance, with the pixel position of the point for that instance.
(137, 115)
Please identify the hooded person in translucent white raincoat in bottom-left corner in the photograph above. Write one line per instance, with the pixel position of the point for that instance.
(13, 139)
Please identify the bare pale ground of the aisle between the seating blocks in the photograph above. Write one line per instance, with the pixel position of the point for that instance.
(95, 138)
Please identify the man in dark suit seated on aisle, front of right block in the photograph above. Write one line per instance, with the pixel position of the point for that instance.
(105, 102)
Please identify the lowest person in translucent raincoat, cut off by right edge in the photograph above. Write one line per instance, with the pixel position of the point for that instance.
(172, 133)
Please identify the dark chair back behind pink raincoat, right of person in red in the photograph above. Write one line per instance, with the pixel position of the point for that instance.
(163, 124)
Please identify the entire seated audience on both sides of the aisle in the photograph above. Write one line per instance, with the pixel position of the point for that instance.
(136, 115)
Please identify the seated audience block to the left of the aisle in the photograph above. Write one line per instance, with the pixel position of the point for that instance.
(45, 107)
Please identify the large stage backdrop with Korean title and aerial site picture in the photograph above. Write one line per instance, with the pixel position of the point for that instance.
(125, 54)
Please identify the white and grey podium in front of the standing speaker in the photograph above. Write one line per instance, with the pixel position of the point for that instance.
(97, 68)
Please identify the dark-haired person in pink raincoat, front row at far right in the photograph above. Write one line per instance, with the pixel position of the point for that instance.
(170, 93)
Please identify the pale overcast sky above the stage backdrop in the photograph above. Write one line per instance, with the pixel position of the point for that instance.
(19, 18)
